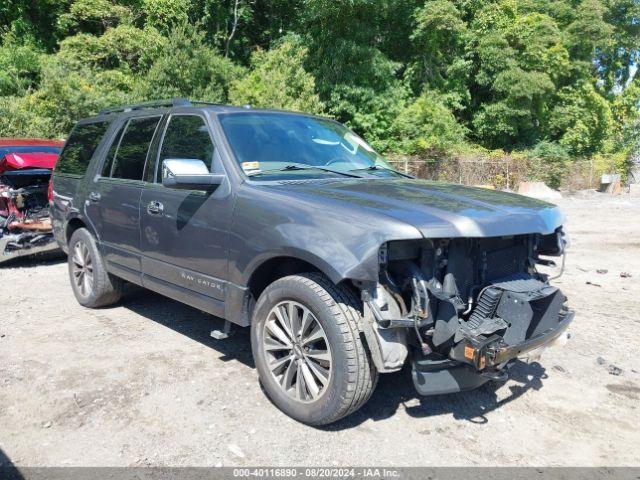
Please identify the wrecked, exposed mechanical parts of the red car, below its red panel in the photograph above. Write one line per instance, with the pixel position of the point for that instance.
(25, 225)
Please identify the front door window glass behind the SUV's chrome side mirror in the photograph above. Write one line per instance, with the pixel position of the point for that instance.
(187, 137)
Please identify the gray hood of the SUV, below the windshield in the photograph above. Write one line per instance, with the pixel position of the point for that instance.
(437, 210)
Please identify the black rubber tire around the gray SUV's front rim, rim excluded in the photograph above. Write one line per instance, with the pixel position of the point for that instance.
(352, 376)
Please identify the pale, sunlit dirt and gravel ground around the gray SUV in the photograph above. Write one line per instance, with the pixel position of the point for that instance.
(143, 383)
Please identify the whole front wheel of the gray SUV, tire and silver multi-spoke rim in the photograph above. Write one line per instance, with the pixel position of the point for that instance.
(348, 372)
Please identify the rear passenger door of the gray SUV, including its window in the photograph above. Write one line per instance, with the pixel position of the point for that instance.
(114, 199)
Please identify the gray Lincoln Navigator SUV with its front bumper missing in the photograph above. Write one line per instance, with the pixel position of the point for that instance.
(291, 224)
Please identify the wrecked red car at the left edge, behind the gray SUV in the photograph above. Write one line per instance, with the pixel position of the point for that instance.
(25, 175)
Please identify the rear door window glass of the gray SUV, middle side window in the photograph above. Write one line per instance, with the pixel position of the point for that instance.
(132, 151)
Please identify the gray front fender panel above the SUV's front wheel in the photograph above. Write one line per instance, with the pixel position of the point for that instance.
(343, 245)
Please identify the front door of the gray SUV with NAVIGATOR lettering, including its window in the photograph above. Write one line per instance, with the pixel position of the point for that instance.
(184, 232)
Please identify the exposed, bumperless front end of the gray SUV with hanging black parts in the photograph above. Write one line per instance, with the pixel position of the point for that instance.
(463, 309)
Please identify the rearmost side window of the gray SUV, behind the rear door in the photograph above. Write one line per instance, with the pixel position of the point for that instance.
(80, 147)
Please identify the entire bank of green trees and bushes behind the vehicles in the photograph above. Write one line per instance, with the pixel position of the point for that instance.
(552, 79)
